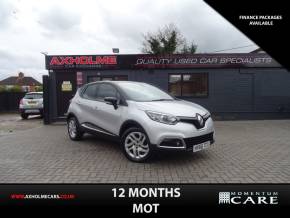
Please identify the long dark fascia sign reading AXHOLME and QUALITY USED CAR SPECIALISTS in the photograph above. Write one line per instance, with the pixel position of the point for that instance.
(168, 61)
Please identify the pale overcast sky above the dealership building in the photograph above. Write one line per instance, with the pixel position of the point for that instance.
(29, 27)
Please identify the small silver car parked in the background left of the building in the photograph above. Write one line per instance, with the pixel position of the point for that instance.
(31, 104)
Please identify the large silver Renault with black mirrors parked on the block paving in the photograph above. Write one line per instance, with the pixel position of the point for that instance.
(141, 117)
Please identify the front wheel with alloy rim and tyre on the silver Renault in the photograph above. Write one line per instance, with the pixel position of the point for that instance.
(136, 145)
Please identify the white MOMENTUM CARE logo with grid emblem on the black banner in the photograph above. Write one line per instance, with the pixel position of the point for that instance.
(248, 198)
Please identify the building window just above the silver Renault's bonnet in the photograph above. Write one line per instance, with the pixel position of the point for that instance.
(189, 85)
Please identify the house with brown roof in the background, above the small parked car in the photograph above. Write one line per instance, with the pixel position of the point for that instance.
(25, 83)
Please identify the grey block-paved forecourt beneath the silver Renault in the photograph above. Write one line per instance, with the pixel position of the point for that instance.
(245, 152)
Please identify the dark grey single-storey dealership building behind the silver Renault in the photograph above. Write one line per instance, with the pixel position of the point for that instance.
(231, 86)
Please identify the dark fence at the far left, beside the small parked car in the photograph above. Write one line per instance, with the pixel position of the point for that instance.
(9, 101)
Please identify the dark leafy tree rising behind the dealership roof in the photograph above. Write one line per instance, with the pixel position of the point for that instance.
(167, 40)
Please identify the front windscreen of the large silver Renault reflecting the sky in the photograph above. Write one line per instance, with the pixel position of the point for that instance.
(144, 92)
